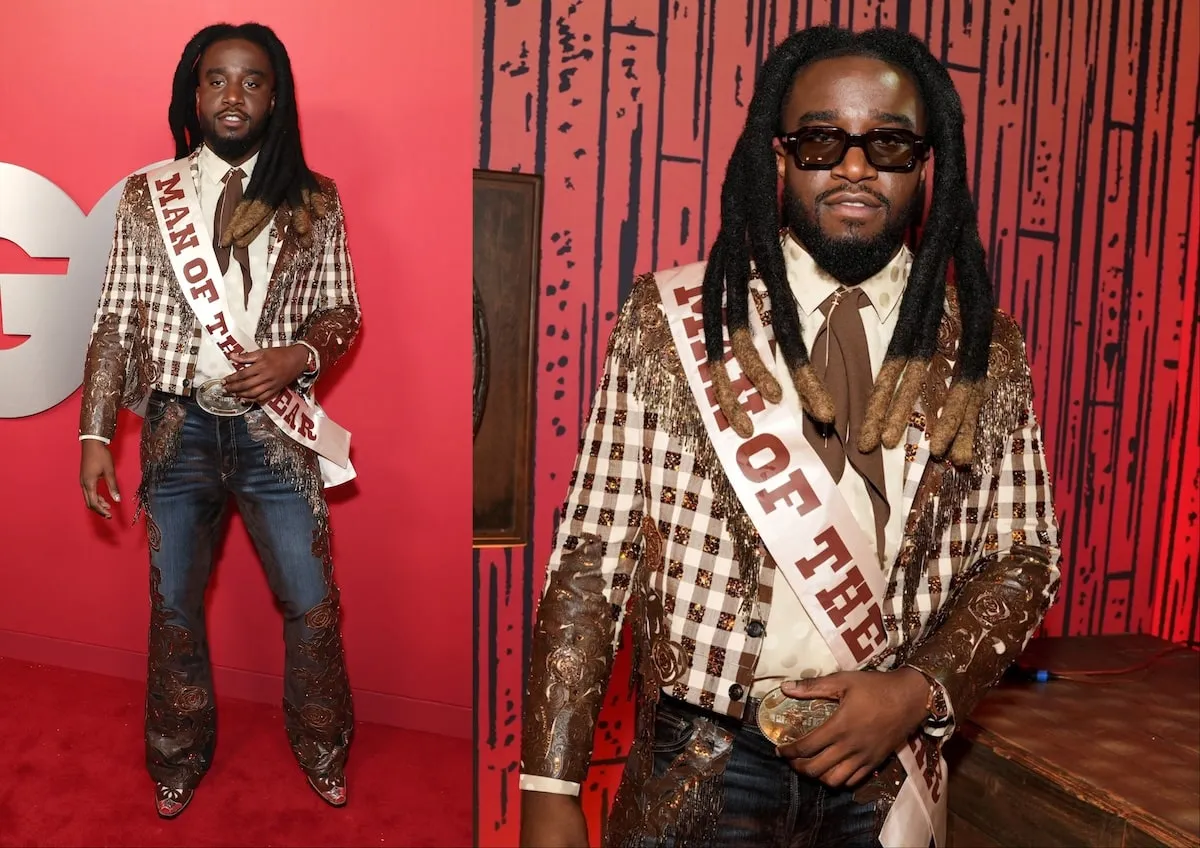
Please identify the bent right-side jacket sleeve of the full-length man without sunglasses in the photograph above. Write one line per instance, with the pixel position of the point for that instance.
(334, 326)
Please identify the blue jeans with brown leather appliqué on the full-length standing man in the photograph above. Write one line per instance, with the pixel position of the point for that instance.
(193, 464)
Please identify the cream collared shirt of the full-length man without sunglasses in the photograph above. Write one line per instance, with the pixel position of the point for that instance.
(211, 363)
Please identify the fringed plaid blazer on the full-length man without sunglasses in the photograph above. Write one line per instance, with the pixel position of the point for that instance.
(146, 335)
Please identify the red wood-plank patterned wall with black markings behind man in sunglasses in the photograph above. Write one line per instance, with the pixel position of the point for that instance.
(1082, 122)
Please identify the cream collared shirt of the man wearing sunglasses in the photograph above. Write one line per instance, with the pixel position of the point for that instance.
(793, 646)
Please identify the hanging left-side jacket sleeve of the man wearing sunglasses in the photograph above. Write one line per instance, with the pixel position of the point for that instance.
(587, 585)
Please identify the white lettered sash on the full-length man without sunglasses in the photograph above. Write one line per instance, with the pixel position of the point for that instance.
(190, 246)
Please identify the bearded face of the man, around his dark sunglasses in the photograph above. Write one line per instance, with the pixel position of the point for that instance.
(851, 218)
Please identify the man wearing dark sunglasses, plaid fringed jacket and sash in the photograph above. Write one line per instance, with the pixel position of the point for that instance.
(814, 470)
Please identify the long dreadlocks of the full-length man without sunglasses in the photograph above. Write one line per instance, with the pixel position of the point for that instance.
(281, 176)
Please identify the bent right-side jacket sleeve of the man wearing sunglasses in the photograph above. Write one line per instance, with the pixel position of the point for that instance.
(1000, 600)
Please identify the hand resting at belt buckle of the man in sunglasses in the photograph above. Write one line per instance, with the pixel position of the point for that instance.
(878, 713)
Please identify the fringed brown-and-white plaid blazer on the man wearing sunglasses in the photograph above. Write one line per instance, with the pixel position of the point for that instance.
(650, 506)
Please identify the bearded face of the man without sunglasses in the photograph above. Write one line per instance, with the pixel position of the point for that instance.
(235, 98)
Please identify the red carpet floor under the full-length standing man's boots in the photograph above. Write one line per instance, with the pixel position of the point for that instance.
(73, 774)
